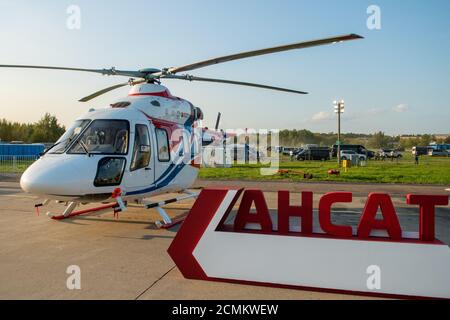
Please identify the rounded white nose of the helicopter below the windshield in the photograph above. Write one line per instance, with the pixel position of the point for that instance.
(49, 176)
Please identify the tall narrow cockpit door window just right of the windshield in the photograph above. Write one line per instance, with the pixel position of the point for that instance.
(142, 166)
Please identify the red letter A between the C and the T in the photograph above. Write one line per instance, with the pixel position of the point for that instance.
(389, 222)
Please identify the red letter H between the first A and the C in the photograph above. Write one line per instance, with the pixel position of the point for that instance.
(285, 210)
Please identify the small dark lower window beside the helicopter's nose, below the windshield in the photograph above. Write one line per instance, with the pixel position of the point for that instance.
(109, 172)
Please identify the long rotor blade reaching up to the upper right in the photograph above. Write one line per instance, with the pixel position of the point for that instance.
(299, 45)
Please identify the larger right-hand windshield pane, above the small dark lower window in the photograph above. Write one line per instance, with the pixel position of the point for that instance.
(103, 137)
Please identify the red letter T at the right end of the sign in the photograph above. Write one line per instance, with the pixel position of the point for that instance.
(427, 204)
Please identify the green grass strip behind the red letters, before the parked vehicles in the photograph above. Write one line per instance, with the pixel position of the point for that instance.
(429, 171)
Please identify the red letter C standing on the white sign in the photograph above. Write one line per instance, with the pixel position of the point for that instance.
(325, 214)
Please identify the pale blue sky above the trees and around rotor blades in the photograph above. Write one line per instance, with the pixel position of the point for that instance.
(395, 80)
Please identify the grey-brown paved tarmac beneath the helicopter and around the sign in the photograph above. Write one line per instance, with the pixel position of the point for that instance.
(126, 258)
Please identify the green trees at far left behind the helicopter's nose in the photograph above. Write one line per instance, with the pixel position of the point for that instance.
(47, 129)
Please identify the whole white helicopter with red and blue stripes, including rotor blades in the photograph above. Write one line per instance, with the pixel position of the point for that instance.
(142, 145)
